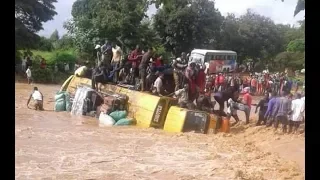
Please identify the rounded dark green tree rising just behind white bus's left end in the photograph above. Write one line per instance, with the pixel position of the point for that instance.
(187, 24)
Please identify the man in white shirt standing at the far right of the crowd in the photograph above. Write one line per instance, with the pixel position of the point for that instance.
(297, 107)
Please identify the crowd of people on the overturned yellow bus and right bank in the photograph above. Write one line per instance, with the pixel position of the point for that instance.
(195, 90)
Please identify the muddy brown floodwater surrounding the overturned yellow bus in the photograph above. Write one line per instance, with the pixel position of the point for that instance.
(51, 145)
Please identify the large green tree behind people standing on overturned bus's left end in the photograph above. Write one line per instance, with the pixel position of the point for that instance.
(95, 20)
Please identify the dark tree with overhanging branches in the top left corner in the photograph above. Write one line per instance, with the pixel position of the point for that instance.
(29, 16)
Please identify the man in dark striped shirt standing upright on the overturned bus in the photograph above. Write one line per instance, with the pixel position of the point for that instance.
(179, 65)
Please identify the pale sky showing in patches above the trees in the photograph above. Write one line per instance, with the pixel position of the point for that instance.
(278, 11)
